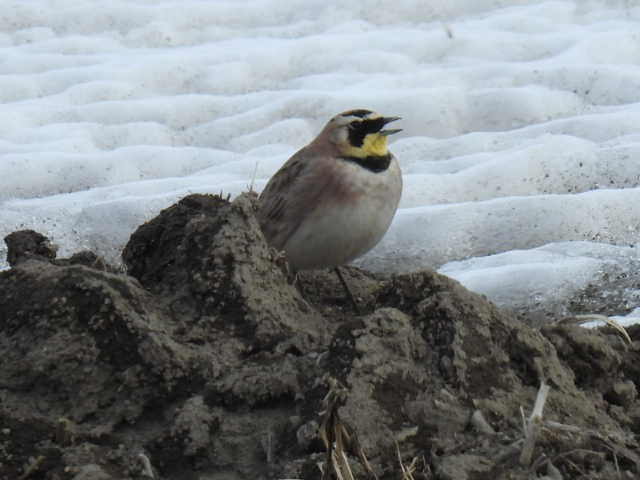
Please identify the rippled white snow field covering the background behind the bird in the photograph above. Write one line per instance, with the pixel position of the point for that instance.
(521, 142)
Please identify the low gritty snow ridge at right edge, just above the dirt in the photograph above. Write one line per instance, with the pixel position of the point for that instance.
(556, 280)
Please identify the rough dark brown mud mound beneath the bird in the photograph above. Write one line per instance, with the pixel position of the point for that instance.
(205, 362)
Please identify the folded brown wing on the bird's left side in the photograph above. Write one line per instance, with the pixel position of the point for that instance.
(291, 194)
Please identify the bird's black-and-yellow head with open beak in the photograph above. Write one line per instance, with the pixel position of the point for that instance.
(360, 133)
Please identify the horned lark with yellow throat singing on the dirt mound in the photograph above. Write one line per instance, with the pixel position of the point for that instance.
(334, 199)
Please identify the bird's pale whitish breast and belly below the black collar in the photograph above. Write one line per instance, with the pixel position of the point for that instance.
(337, 233)
